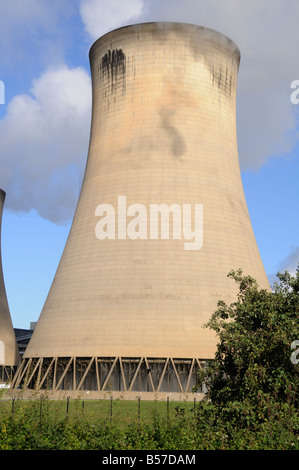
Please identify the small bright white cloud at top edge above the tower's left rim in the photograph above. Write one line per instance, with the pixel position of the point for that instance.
(100, 16)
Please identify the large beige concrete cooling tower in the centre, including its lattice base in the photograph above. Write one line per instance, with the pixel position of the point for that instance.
(161, 219)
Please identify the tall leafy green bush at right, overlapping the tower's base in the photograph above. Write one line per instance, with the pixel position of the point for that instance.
(252, 382)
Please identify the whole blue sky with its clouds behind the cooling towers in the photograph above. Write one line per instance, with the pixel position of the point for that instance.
(45, 122)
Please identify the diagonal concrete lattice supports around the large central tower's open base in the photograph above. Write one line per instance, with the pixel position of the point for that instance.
(108, 374)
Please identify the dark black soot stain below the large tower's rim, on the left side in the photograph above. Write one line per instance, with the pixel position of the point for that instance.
(113, 66)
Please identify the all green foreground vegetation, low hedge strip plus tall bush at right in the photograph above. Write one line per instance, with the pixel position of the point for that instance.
(251, 402)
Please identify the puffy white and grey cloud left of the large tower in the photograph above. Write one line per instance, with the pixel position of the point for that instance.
(44, 141)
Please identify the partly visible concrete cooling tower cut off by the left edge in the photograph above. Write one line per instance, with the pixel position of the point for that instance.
(9, 352)
